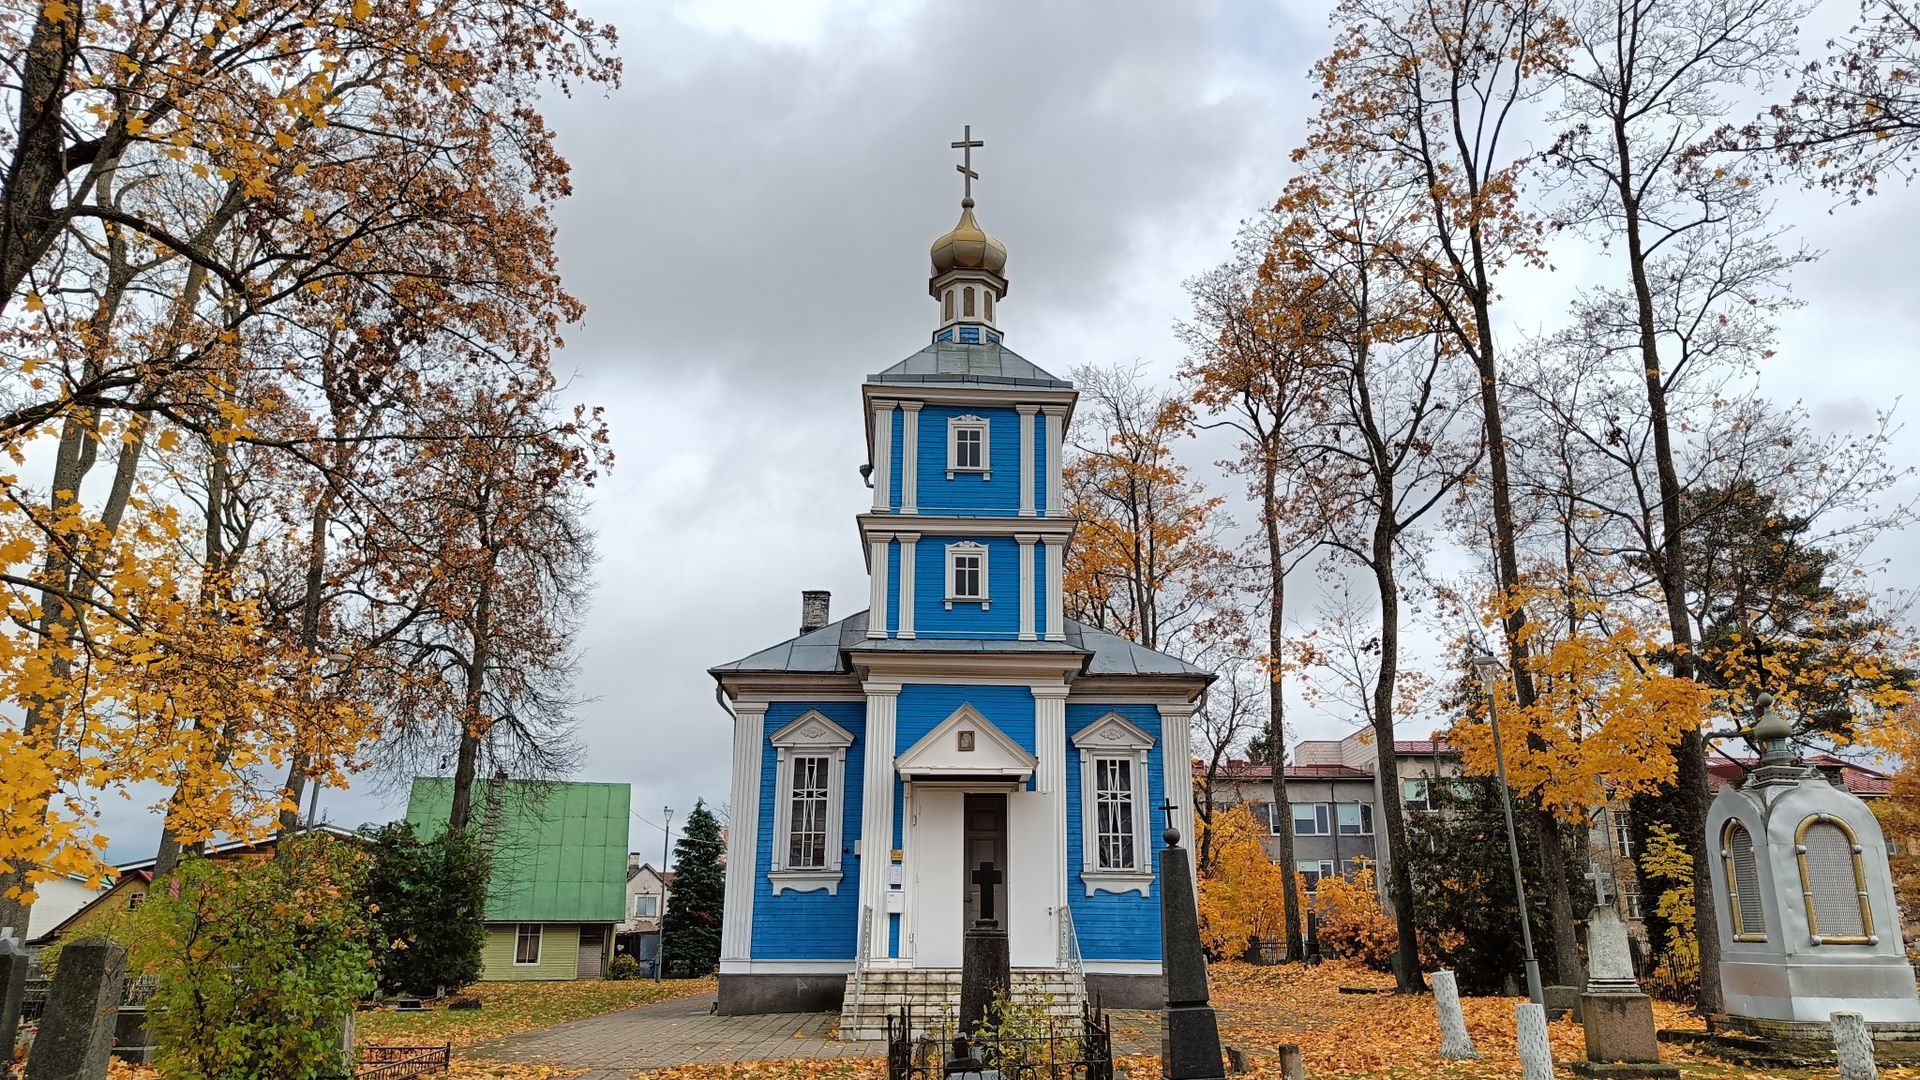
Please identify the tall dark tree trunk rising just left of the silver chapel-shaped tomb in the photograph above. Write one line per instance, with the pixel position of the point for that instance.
(1691, 754)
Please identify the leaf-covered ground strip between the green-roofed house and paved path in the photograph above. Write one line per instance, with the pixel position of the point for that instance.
(508, 1008)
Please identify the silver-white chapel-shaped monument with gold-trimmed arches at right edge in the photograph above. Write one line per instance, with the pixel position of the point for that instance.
(1806, 902)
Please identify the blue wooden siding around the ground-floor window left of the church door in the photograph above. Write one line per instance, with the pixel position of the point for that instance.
(809, 925)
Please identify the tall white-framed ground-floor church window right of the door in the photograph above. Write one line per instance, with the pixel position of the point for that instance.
(1115, 806)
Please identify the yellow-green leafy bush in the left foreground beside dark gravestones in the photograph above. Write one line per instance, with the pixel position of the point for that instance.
(258, 964)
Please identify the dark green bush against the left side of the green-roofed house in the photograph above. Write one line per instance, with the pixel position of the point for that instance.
(429, 902)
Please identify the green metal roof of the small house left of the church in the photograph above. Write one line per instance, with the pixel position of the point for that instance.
(560, 848)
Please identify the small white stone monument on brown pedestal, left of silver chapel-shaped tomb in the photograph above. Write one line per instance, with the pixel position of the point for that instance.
(1616, 1014)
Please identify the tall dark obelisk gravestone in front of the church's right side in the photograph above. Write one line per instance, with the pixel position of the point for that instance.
(1189, 1033)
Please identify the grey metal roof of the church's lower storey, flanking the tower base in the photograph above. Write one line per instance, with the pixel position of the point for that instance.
(825, 650)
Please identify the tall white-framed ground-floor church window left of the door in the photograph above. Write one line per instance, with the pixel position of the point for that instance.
(811, 777)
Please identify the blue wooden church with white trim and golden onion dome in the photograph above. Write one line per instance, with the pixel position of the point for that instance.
(959, 720)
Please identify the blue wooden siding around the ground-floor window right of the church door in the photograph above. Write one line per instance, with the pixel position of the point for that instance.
(1116, 927)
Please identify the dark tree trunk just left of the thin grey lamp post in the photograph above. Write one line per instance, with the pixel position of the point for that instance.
(1399, 871)
